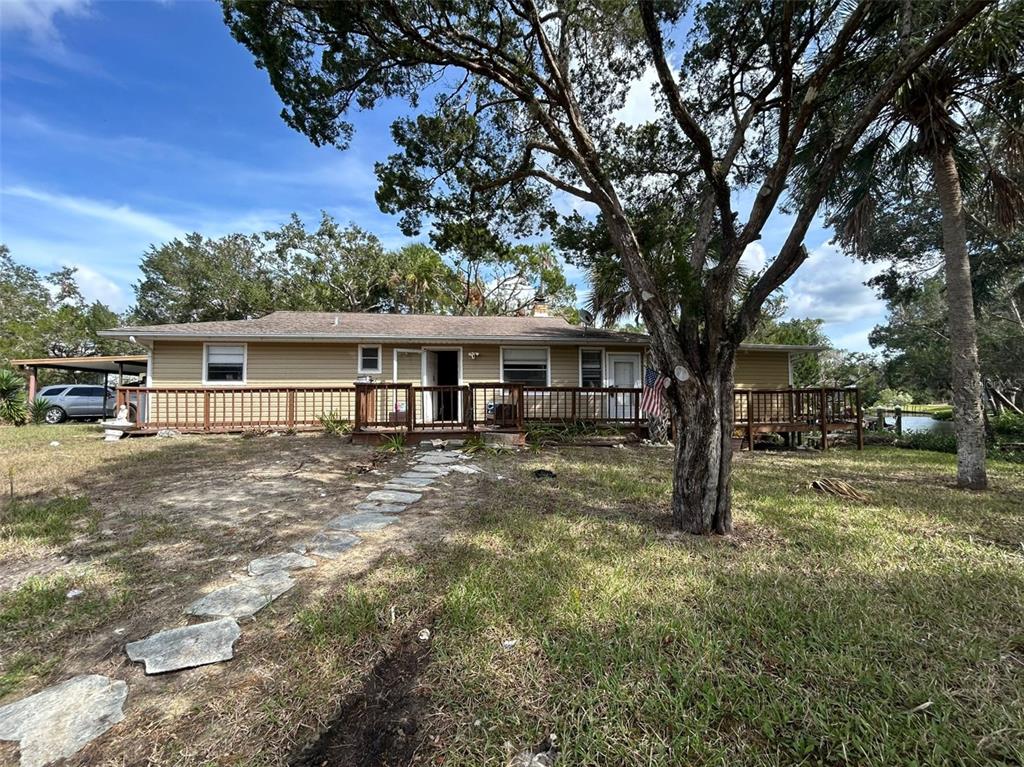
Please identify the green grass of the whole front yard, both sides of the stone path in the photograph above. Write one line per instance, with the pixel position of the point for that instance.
(823, 632)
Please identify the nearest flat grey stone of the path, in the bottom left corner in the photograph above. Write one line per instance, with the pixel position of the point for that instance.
(60, 721)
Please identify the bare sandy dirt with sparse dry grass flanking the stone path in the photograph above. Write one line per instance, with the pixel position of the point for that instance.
(179, 519)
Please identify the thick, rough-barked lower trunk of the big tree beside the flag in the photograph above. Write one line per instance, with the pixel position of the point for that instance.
(703, 427)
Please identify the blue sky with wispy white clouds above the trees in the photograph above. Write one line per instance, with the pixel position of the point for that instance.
(124, 124)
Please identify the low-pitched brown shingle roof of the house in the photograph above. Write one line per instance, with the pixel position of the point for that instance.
(352, 326)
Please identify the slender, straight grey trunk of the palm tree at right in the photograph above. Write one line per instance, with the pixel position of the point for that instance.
(968, 412)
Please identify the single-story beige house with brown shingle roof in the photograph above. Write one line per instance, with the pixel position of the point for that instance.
(416, 371)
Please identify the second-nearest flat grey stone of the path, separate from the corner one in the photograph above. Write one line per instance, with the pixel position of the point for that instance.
(187, 648)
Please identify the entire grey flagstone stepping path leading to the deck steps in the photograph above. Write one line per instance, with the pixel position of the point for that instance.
(58, 722)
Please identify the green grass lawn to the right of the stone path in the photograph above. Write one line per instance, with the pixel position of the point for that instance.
(823, 632)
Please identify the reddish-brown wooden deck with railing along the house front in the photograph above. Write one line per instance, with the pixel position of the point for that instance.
(393, 408)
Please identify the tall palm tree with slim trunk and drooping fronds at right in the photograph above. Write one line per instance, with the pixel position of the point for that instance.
(958, 124)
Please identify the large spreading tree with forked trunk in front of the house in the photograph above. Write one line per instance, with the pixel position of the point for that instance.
(518, 119)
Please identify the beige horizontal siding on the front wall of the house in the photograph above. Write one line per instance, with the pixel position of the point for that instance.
(269, 364)
